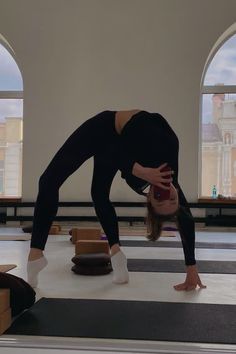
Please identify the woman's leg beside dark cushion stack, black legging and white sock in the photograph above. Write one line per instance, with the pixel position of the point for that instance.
(104, 172)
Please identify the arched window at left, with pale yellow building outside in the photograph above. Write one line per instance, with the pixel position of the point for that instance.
(11, 123)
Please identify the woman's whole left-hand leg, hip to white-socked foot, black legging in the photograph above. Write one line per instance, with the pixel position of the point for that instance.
(80, 146)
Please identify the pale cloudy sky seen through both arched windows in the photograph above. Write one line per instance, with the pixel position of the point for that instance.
(221, 70)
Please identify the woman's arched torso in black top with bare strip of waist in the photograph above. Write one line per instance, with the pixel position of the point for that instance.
(148, 138)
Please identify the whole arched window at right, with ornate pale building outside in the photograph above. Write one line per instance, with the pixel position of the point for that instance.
(219, 121)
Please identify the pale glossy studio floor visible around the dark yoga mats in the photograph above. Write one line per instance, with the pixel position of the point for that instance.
(58, 281)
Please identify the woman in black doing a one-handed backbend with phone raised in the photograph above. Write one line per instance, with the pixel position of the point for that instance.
(139, 144)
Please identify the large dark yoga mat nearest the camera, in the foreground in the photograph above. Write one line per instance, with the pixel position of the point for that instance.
(137, 320)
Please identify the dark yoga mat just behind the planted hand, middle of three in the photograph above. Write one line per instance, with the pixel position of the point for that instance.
(178, 266)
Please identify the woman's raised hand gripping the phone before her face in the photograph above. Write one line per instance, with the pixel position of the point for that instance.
(153, 175)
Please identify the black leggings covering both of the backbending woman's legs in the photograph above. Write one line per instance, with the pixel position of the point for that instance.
(96, 137)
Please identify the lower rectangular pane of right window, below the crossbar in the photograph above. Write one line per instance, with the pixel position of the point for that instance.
(219, 144)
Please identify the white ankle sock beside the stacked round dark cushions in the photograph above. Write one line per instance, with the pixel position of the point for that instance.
(120, 270)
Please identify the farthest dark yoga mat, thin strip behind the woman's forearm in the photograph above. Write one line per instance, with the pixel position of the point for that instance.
(177, 244)
